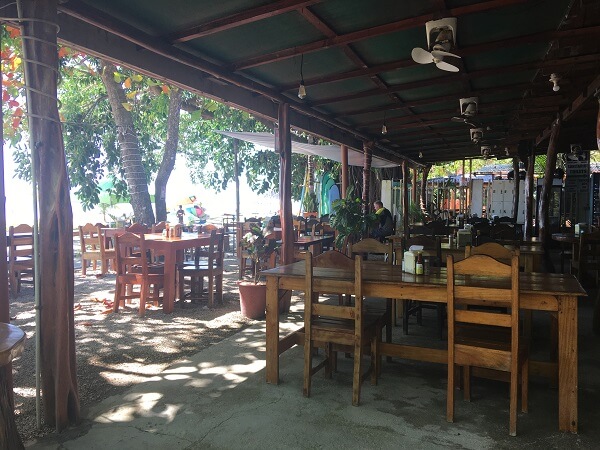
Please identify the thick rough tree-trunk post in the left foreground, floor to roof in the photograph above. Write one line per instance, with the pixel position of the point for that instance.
(56, 287)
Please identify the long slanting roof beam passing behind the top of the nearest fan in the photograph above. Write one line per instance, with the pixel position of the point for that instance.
(348, 38)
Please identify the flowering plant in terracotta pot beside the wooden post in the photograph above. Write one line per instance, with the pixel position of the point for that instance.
(253, 293)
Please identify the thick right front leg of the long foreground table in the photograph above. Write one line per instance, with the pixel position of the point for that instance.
(567, 364)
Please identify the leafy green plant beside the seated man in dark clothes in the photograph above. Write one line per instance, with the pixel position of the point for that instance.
(348, 220)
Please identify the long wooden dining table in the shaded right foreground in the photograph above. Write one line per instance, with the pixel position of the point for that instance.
(538, 291)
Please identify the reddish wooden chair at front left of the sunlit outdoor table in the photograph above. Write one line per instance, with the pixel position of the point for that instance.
(133, 269)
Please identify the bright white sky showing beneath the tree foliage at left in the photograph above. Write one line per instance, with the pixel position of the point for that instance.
(19, 204)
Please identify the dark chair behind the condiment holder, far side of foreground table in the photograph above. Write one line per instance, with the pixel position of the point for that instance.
(431, 246)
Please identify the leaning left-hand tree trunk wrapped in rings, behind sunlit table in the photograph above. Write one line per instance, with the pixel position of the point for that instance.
(131, 157)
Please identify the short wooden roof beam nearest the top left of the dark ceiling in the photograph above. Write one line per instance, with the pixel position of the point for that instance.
(239, 19)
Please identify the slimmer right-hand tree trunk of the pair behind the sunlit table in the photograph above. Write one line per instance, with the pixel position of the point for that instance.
(168, 162)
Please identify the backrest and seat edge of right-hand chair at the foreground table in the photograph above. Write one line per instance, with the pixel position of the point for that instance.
(488, 282)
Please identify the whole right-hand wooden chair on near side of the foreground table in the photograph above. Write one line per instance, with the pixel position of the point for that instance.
(484, 338)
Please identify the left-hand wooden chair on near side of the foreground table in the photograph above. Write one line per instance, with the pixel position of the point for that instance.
(347, 326)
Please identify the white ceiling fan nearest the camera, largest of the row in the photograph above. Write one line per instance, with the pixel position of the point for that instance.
(441, 37)
